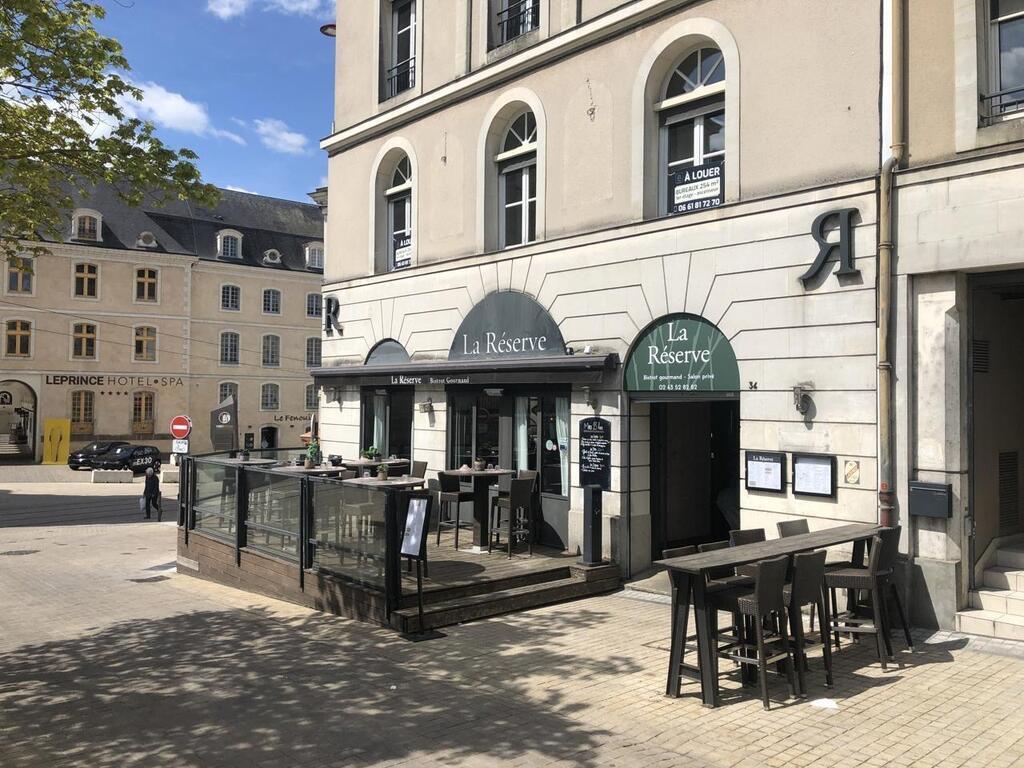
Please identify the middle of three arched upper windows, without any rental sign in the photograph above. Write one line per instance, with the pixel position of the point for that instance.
(518, 183)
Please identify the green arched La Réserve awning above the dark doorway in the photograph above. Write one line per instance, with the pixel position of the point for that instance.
(682, 354)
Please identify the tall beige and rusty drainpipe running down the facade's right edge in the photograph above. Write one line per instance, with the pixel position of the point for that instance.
(898, 152)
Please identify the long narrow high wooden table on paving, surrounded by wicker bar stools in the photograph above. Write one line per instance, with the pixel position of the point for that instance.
(690, 575)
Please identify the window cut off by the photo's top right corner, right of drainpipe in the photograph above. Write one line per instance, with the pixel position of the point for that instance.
(1006, 51)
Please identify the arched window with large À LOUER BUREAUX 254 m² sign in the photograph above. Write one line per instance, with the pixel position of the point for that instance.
(693, 134)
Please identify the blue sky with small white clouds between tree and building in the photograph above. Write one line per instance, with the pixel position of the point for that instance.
(248, 84)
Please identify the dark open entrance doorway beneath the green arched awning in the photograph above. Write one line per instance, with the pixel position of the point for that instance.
(695, 473)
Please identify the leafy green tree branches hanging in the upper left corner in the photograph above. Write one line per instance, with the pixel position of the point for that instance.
(64, 127)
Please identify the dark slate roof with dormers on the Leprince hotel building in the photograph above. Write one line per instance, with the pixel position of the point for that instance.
(184, 228)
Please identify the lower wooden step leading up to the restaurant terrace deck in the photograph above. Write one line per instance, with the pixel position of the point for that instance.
(481, 607)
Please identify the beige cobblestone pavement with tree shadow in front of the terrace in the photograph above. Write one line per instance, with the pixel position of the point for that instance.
(108, 658)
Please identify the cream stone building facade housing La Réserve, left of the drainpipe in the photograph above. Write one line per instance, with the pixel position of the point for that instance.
(558, 210)
